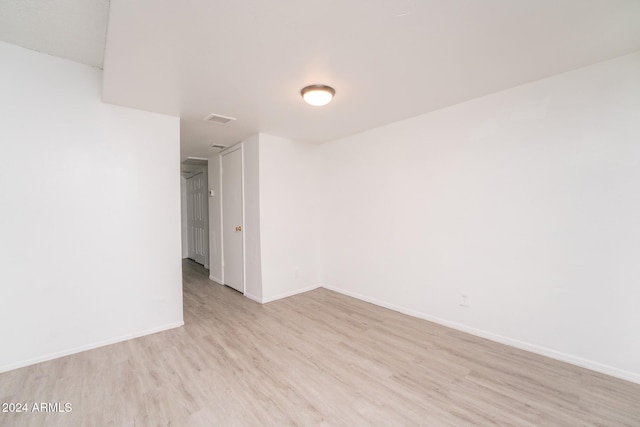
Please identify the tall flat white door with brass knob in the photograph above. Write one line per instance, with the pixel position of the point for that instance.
(232, 220)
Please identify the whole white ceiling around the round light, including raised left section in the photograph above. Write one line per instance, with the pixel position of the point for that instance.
(387, 59)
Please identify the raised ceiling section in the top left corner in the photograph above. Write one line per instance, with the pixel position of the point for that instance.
(71, 29)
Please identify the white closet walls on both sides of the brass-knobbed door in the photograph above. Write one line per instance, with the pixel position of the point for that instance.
(280, 229)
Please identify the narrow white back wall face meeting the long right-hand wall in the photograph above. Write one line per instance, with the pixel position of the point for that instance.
(288, 220)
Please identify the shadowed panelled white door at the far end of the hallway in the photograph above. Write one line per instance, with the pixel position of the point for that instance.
(197, 218)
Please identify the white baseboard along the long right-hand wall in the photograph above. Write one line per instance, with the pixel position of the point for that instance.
(553, 354)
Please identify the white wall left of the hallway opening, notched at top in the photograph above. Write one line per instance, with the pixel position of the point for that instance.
(90, 231)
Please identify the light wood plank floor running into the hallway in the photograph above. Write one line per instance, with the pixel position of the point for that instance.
(319, 358)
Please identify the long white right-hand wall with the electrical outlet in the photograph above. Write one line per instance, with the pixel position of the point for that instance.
(527, 201)
